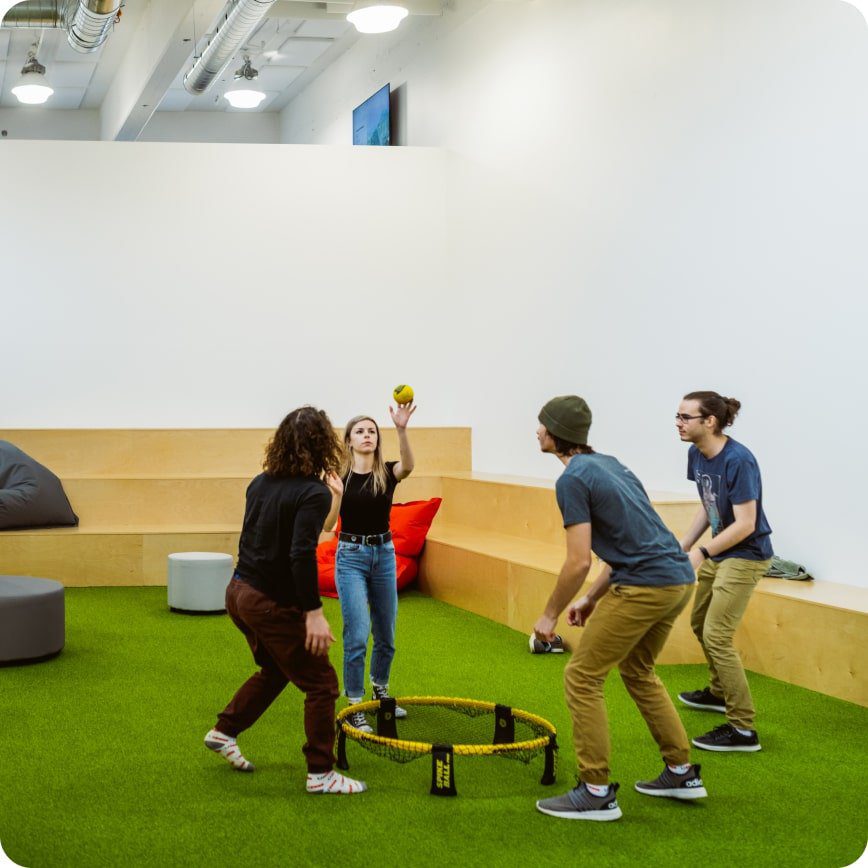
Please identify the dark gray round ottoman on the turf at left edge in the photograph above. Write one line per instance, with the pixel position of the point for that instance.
(32, 619)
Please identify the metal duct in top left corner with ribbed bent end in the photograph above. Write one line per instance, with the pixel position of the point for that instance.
(87, 22)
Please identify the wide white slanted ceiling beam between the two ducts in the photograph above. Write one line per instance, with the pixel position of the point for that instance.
(162, 46)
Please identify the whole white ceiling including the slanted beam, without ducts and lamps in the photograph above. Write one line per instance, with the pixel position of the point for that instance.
(141, 67)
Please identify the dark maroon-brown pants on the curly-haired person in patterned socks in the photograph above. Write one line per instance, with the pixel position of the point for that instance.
(276, 637)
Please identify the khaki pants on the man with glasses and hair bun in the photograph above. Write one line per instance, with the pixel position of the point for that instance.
(723, 591)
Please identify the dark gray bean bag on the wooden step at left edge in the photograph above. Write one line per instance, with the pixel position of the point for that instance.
(30, 494)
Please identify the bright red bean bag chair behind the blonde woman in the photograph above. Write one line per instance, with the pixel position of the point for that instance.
(409, 522)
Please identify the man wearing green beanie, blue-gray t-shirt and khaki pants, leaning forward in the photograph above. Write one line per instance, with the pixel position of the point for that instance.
(628, 611)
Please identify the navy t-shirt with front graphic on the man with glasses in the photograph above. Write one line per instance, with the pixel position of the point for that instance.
(731, 477)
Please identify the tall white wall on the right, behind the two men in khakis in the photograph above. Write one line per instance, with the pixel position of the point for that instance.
(649, 198)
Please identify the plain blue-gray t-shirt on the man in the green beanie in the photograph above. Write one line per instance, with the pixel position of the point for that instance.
(626, 532)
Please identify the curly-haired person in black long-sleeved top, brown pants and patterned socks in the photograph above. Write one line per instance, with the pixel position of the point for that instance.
(274, 601)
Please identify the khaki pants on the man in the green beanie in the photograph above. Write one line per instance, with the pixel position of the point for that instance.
(628, 629)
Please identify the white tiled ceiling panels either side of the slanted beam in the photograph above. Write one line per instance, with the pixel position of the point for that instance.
(287, 51)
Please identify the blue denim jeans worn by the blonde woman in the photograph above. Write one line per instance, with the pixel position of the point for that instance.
(366, 579)
